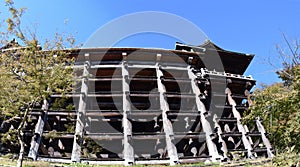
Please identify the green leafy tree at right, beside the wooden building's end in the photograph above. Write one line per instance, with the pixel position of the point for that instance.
(278, 105)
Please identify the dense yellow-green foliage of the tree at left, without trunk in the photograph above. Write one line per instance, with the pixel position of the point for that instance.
(29, 75)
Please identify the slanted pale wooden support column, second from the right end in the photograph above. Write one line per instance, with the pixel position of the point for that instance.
(240, 126)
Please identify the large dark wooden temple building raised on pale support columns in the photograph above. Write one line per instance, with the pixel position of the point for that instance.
(151, 106)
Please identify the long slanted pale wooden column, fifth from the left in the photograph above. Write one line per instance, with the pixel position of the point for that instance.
(206, 126)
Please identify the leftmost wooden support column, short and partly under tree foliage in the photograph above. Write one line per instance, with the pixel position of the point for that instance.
(38, 132)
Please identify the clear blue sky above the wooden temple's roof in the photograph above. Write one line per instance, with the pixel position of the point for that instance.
(254, 26)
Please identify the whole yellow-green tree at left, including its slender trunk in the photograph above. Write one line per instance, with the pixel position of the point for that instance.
(29, 75)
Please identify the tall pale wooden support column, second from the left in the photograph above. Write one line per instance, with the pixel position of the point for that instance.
(80, 122)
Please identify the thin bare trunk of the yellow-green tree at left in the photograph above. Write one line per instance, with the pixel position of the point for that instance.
(20, 138)
